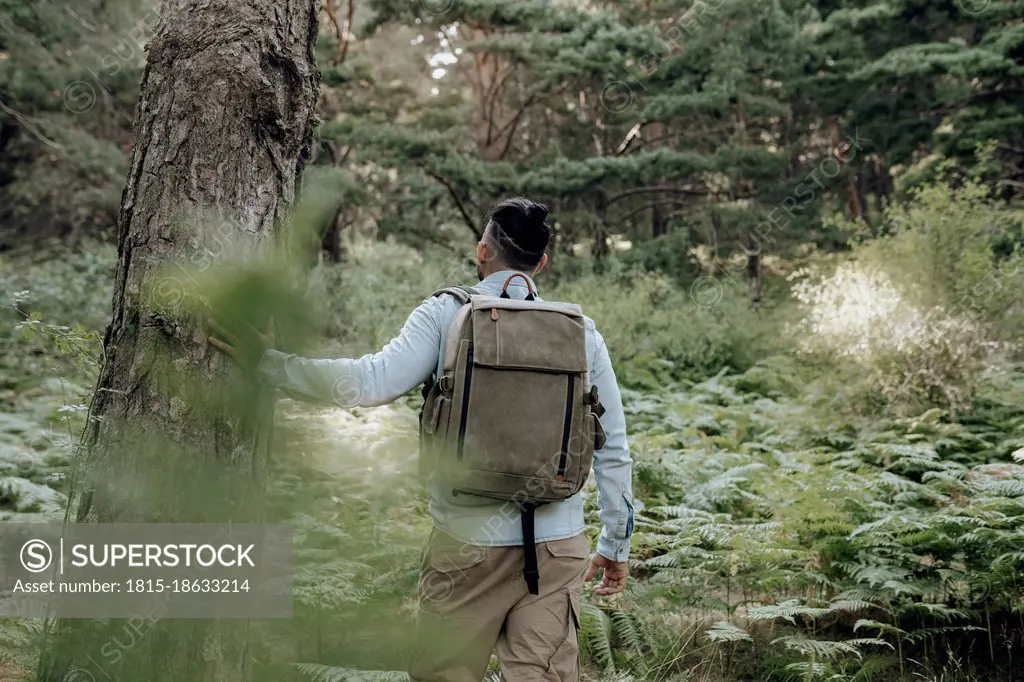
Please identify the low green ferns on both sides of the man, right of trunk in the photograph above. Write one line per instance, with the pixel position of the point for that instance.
(774, 542)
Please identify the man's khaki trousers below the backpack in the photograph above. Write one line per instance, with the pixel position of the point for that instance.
(475, 600)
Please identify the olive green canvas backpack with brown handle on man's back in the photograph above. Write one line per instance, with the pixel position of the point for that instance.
(513, 417)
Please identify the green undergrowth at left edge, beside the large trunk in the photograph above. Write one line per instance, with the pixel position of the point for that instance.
(51, 321)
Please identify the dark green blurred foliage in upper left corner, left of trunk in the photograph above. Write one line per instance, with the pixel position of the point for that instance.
(69, 82)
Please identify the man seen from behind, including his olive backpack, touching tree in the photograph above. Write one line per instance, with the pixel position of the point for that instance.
(521, 404)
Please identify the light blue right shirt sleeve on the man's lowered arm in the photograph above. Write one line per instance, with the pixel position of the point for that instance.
(613, 465)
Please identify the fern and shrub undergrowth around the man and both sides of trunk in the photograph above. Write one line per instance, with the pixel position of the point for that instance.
(777, 537)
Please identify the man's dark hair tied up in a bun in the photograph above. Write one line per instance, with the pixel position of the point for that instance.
(519, 230)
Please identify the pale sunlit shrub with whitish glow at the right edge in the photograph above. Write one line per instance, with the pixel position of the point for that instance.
(911, 319)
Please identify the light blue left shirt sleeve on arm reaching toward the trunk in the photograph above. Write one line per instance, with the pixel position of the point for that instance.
(404, 364)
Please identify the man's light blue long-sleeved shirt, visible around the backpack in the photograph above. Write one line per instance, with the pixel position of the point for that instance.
(410, 360)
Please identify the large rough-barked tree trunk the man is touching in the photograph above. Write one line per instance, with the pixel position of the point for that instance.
(224, 130)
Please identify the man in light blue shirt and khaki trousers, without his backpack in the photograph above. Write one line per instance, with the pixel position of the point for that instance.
(474, 599)
